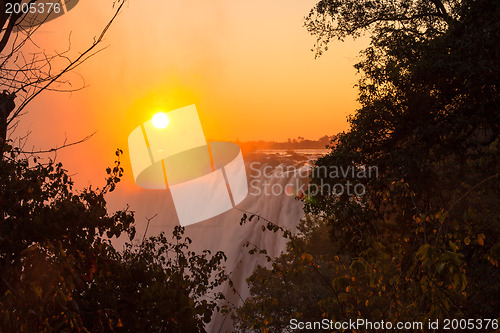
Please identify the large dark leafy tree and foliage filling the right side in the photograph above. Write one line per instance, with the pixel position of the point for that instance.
(423, 241)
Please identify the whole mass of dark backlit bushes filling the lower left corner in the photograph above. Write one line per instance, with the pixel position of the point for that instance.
(60, 273)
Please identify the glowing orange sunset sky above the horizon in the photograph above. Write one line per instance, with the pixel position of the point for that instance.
(247, 65)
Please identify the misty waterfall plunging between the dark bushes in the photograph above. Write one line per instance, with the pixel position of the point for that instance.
(273, 184)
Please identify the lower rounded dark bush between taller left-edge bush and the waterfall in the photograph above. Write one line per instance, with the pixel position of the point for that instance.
(157, 286)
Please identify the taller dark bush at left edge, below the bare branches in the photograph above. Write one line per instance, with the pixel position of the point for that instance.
(51, 238)
